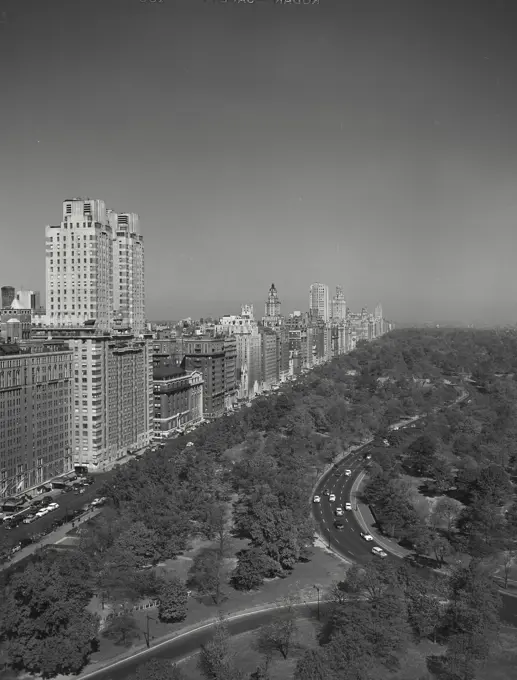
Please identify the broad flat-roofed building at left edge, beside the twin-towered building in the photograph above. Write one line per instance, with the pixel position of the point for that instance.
(36, 401)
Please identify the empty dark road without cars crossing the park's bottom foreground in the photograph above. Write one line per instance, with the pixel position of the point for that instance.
(189, 643)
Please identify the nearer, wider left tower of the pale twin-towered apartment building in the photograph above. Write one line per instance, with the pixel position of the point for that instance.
(79, 266)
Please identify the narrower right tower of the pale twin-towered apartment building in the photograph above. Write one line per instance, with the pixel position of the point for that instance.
(128, 272)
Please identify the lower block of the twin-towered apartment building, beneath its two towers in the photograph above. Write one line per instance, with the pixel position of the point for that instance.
(113, 394)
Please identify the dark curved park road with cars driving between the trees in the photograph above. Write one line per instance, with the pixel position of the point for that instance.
(347, 542)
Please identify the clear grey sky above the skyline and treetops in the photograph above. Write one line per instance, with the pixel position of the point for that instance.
(365, 143)
